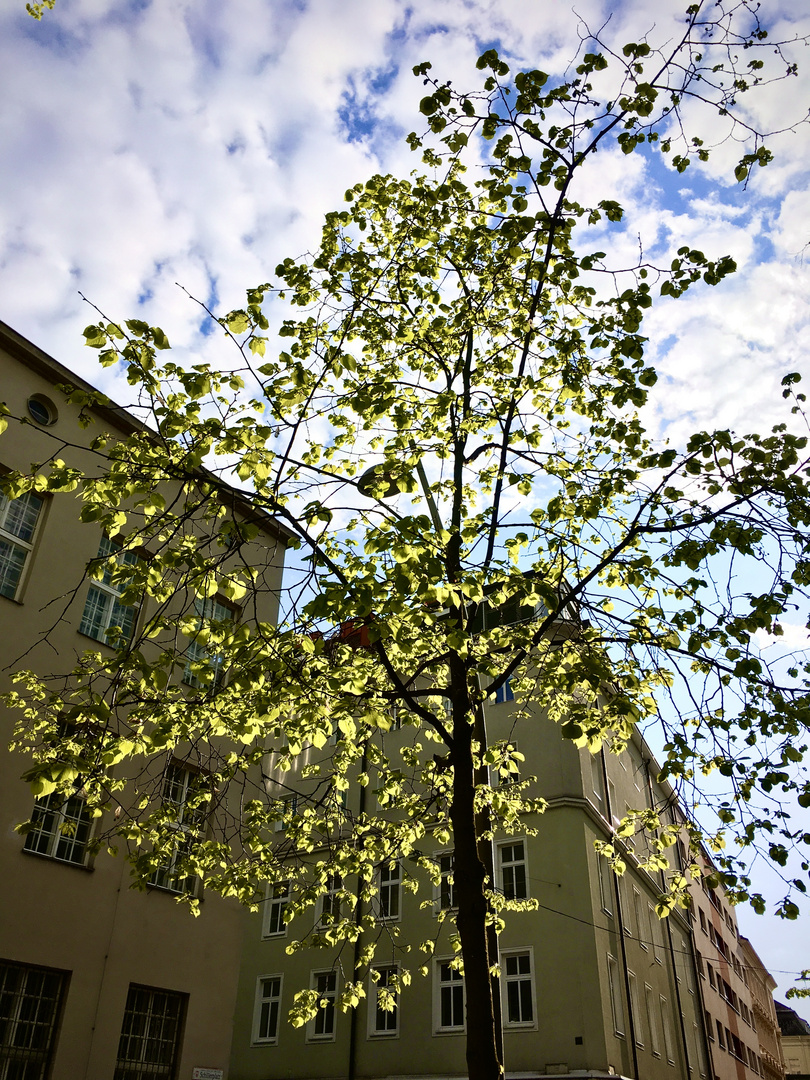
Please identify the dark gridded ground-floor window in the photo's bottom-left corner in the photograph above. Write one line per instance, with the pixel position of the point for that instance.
(31, 1002)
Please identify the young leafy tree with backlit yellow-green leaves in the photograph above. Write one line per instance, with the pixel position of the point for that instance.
(462, 340)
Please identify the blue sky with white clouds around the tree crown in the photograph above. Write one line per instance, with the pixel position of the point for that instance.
(146, 146)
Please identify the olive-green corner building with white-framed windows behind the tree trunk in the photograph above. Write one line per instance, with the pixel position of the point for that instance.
(595, 983)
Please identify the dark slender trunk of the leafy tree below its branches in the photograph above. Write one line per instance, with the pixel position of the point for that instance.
(470, 874)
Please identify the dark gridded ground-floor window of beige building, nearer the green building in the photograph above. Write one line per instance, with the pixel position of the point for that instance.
(151, 1035)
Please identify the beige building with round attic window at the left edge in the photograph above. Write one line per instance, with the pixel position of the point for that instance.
(97, 981)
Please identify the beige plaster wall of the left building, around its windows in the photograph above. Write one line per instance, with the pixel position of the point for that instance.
(80, 920)
